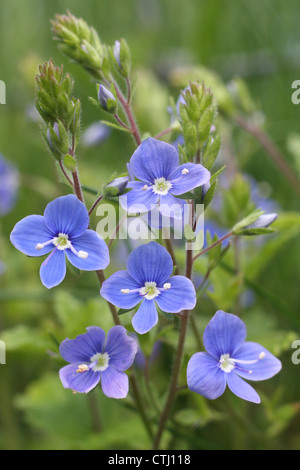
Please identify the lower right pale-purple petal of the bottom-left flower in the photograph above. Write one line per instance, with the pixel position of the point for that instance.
(114, 383)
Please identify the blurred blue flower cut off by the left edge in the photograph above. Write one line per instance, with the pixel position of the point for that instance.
(9, 182)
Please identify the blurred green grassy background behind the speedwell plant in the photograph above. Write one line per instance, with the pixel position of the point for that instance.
(256, 41)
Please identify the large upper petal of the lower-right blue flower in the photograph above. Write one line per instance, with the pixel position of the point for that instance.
(224, 334)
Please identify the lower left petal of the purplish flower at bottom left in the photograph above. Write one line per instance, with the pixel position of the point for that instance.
(81, 382)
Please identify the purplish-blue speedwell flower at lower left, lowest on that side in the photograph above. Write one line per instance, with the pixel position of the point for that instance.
(93, 359)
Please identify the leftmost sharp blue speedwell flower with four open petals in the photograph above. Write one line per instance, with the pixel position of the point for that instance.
(63, 231)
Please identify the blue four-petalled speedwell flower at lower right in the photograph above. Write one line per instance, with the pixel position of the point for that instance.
(229, 360)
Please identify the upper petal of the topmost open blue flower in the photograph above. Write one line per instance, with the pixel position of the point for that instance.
(154, 159)
